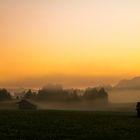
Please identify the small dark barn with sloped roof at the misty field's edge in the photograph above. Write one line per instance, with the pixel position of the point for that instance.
(26, 105)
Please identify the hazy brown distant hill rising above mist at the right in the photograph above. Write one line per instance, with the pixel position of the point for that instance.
(129, 84)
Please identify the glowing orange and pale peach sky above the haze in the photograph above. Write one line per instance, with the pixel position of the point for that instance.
(97, 38)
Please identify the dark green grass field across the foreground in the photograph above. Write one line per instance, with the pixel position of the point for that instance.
(59, 125)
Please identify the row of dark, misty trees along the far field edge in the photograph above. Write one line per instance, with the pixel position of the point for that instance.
(56, 93)
